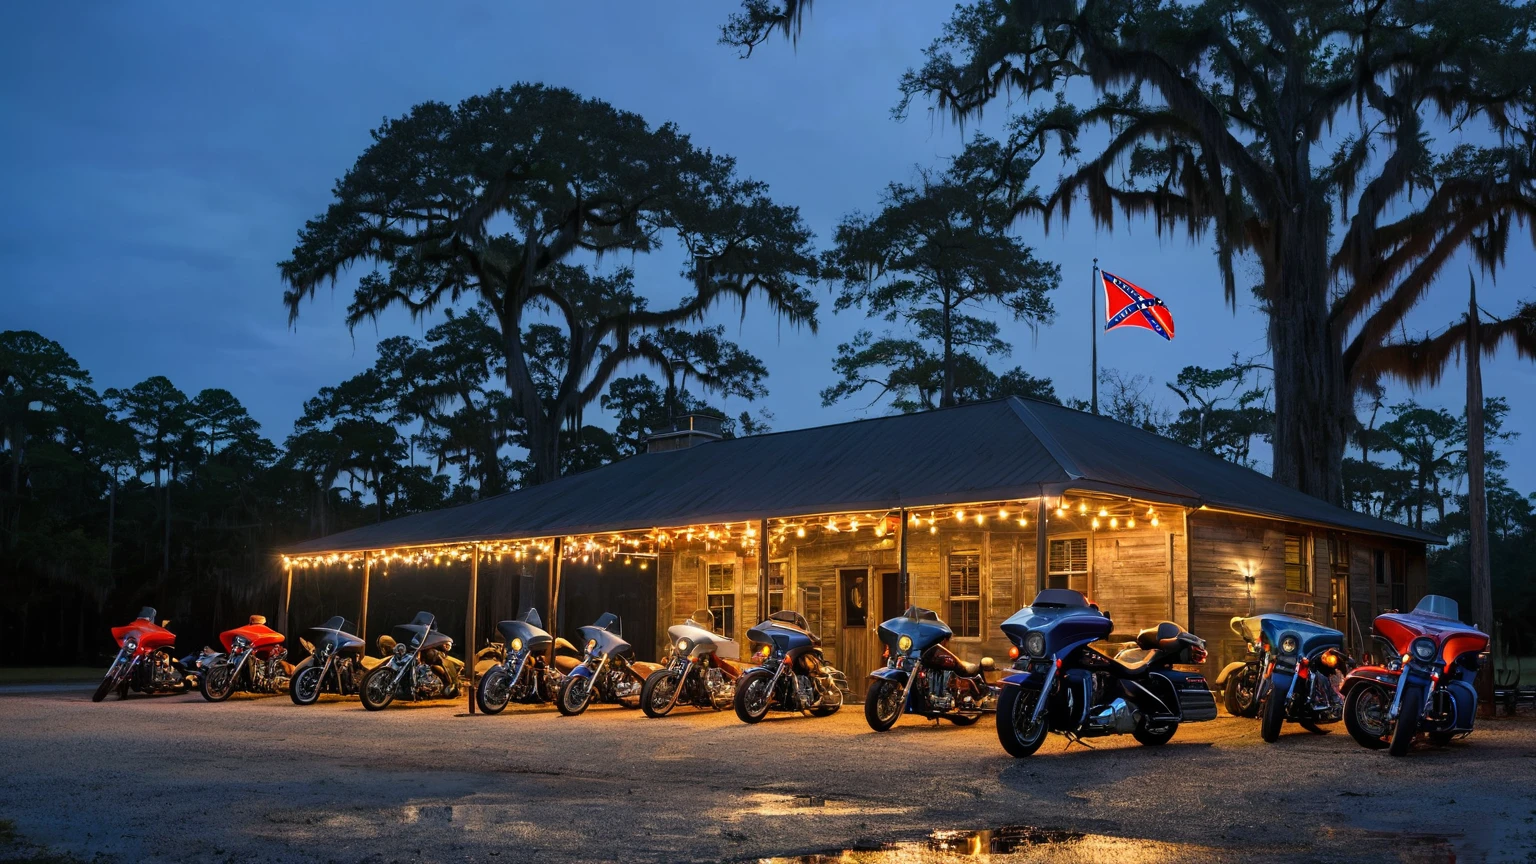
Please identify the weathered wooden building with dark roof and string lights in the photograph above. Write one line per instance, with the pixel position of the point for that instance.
(979, 507)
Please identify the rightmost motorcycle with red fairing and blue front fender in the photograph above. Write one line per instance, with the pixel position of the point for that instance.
(1426, 685)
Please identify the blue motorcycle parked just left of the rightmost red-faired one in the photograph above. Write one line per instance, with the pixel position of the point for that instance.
(1305, 665)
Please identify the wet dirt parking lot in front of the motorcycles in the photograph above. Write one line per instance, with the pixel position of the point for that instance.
(174, 779)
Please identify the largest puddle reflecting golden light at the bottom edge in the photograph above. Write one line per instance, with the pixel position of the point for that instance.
(1016, 843)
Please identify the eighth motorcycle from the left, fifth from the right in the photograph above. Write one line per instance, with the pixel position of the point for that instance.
(793, 677)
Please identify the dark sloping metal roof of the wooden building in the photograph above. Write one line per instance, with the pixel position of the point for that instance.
(985, 451)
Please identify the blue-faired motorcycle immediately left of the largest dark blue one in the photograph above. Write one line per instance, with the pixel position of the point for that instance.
(924, 677)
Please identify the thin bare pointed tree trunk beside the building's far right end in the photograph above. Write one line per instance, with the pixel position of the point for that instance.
(1478, 499)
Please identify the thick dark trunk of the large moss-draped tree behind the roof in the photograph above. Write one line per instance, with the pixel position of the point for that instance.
(1313, 405)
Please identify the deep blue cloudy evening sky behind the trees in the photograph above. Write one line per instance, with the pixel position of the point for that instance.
(159, 159)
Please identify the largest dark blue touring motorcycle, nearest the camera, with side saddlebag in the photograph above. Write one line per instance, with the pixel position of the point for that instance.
(1062, 683)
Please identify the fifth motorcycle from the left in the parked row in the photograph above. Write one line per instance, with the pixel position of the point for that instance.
(521, 668)
